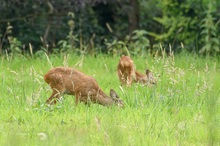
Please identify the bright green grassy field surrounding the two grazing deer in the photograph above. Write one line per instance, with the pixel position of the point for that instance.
(182, 109)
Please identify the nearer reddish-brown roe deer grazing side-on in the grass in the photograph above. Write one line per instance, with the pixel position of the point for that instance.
(66, 80)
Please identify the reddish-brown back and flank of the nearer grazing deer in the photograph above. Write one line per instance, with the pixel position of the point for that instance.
(70, 80)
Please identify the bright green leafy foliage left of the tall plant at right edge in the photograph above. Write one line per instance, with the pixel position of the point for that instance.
(179, 21)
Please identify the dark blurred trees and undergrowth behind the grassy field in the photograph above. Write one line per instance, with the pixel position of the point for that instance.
(109, 26)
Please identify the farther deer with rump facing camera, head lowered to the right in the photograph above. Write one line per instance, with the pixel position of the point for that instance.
(127, 73)
